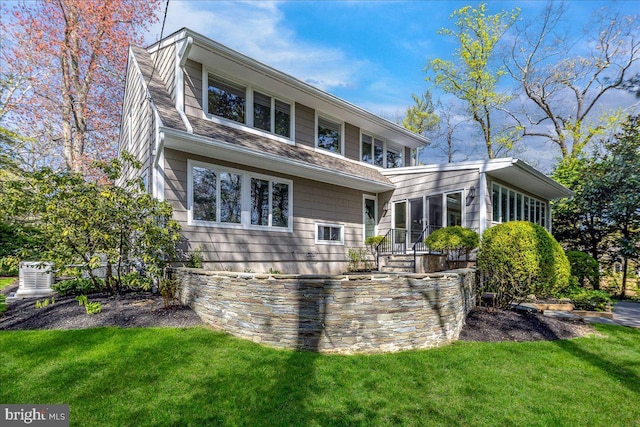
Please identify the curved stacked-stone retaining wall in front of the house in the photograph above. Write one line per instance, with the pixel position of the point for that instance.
(365, 313)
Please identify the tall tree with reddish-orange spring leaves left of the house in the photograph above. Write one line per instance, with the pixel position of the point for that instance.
(71, 57)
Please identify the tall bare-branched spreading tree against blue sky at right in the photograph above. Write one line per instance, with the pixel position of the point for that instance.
(566, 80)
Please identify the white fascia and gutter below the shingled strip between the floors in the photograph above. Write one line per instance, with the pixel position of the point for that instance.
(216, 149)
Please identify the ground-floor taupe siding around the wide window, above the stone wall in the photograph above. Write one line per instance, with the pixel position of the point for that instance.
(259, 250)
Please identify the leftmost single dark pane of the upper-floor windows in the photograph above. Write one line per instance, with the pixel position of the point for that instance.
(226, 99)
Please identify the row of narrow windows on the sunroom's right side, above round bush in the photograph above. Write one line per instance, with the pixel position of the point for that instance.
(510, 205)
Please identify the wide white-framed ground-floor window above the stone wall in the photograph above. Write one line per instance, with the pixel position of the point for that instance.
(221, 196)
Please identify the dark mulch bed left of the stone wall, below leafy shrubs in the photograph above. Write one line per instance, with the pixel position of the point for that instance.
(126, 311)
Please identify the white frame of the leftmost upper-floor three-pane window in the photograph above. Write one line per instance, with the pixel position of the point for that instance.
(248, 125)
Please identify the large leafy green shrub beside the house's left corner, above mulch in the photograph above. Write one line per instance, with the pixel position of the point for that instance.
(82, 222)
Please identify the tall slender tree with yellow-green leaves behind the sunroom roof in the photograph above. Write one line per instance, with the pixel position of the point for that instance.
(474, 75)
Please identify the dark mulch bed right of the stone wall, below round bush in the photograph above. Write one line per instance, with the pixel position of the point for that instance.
(504, 325)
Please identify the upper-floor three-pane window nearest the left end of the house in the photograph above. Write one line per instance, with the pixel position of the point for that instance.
(244, 105)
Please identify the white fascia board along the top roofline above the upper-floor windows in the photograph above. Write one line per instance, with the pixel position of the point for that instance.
(413, 140)
